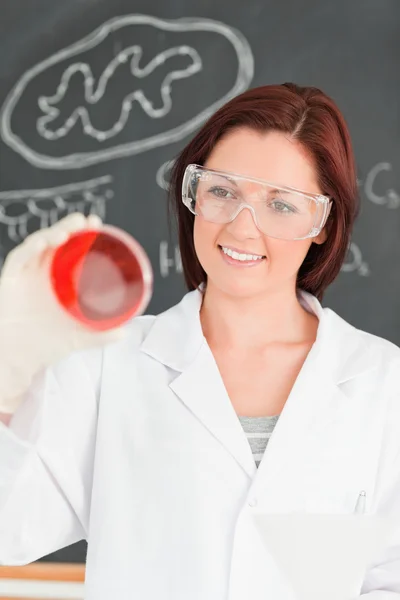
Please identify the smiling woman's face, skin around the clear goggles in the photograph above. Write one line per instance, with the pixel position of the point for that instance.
(275, 158)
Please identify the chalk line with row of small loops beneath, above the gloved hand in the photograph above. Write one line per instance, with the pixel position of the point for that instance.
(48, 205)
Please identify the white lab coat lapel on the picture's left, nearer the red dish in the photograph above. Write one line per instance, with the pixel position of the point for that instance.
(176, 339)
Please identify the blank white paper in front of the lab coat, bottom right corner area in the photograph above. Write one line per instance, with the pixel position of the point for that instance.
(323, 556)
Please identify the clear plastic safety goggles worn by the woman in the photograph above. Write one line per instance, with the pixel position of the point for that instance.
(278, 211)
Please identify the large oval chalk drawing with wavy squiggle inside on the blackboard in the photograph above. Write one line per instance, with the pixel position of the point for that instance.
(135, 83)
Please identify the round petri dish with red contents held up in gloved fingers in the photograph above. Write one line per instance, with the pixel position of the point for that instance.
(102, 277)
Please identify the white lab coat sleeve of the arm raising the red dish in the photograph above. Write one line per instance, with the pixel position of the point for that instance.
(46, 461)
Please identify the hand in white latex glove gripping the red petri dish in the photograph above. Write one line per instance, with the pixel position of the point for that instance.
(35, 331)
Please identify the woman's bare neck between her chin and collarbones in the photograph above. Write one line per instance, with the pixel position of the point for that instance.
(257, 321)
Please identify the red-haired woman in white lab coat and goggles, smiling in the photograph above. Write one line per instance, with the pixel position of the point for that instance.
(142, 446)
